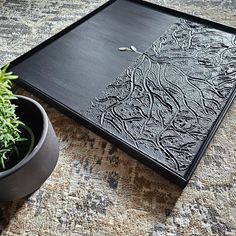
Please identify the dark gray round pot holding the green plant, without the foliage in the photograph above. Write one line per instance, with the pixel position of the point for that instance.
(30, 173)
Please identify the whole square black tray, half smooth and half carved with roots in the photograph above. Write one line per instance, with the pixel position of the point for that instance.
(162, 103)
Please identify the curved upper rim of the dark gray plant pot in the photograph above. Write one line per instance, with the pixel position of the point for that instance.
(26, 159)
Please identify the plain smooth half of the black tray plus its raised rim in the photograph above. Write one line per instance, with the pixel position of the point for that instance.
(73, 67)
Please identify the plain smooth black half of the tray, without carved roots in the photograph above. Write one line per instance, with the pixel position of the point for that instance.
(77, 66)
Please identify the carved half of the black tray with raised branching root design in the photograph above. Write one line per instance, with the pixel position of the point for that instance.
(167, 101)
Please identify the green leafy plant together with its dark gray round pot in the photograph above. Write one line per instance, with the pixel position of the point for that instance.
(28, 144)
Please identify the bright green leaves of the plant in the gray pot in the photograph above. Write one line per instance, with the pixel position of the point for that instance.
(9, 132)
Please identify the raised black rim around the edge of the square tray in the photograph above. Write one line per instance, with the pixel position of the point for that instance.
(162, 169)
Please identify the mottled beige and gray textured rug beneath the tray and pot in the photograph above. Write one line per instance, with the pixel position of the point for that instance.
(97, 189)
